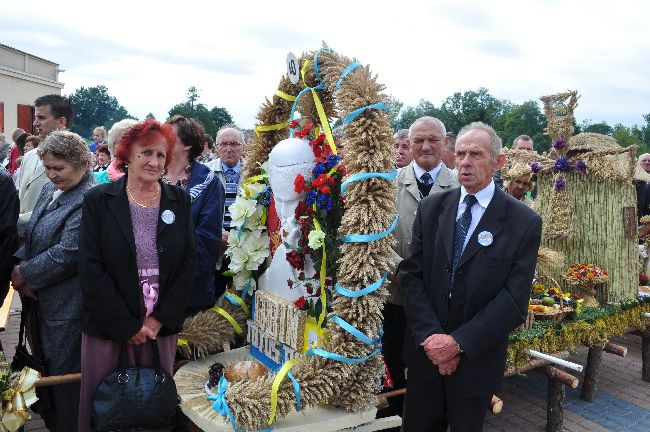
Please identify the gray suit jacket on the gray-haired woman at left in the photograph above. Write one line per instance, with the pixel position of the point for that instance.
(49, 252)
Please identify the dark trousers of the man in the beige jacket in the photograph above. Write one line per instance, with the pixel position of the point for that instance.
(392, 342)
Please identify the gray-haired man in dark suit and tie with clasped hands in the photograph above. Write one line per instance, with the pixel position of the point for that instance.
(466, 282)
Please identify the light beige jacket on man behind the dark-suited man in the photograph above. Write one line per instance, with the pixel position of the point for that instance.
(408, 198)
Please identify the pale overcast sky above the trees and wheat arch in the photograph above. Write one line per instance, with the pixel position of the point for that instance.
(149, 53)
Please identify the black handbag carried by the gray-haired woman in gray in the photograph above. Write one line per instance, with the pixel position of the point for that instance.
(23, 358)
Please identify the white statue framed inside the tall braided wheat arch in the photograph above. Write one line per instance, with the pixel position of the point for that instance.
(288, 158)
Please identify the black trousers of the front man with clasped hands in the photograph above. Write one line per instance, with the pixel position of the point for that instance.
(431, 406)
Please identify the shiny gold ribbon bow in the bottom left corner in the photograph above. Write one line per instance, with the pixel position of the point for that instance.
(16, 412)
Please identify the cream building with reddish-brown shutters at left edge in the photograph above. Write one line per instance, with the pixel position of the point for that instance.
(23, 78)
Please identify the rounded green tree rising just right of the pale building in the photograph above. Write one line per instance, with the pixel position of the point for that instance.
(93, 107)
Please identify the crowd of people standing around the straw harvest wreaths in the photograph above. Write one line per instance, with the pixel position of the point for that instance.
(112, 244)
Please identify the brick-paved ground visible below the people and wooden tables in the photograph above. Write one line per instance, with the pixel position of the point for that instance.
(622, 403)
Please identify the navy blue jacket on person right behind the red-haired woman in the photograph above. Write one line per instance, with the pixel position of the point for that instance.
(207, 198)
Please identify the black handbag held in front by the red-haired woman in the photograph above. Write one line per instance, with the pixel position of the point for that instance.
(135, 398)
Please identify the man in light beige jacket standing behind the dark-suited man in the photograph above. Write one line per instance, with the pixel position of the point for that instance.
(425, 175)
